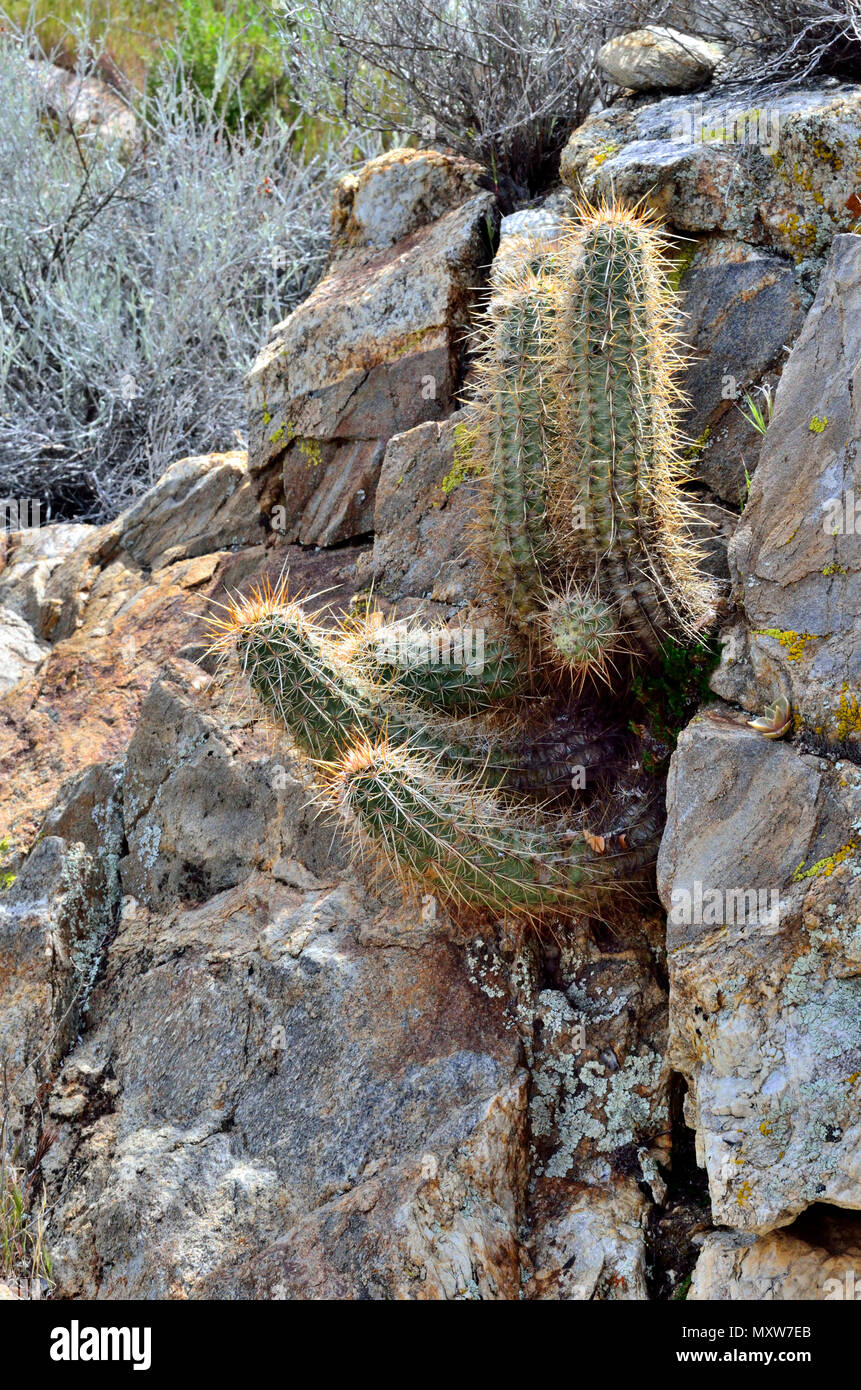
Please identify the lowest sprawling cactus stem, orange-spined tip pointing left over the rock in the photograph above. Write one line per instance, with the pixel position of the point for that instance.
(465, 843)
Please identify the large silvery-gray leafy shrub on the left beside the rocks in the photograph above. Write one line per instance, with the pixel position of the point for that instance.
(138, 284)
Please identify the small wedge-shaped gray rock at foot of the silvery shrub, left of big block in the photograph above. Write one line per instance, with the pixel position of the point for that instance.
(198, 507)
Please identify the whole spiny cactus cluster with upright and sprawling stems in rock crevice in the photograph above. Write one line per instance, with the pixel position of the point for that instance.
(588, 546)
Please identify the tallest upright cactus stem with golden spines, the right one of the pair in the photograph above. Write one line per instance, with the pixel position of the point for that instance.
(617, 497)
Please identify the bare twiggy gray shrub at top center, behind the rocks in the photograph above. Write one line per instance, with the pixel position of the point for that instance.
(503, 81)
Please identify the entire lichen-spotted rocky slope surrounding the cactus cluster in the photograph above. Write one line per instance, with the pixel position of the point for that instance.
(268, 1077)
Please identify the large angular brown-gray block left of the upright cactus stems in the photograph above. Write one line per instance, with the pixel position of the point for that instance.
(375, 351)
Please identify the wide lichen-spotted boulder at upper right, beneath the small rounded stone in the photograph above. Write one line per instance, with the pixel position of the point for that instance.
(774, 169)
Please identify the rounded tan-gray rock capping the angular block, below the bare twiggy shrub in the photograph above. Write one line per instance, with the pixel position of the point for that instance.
(397, 194)
